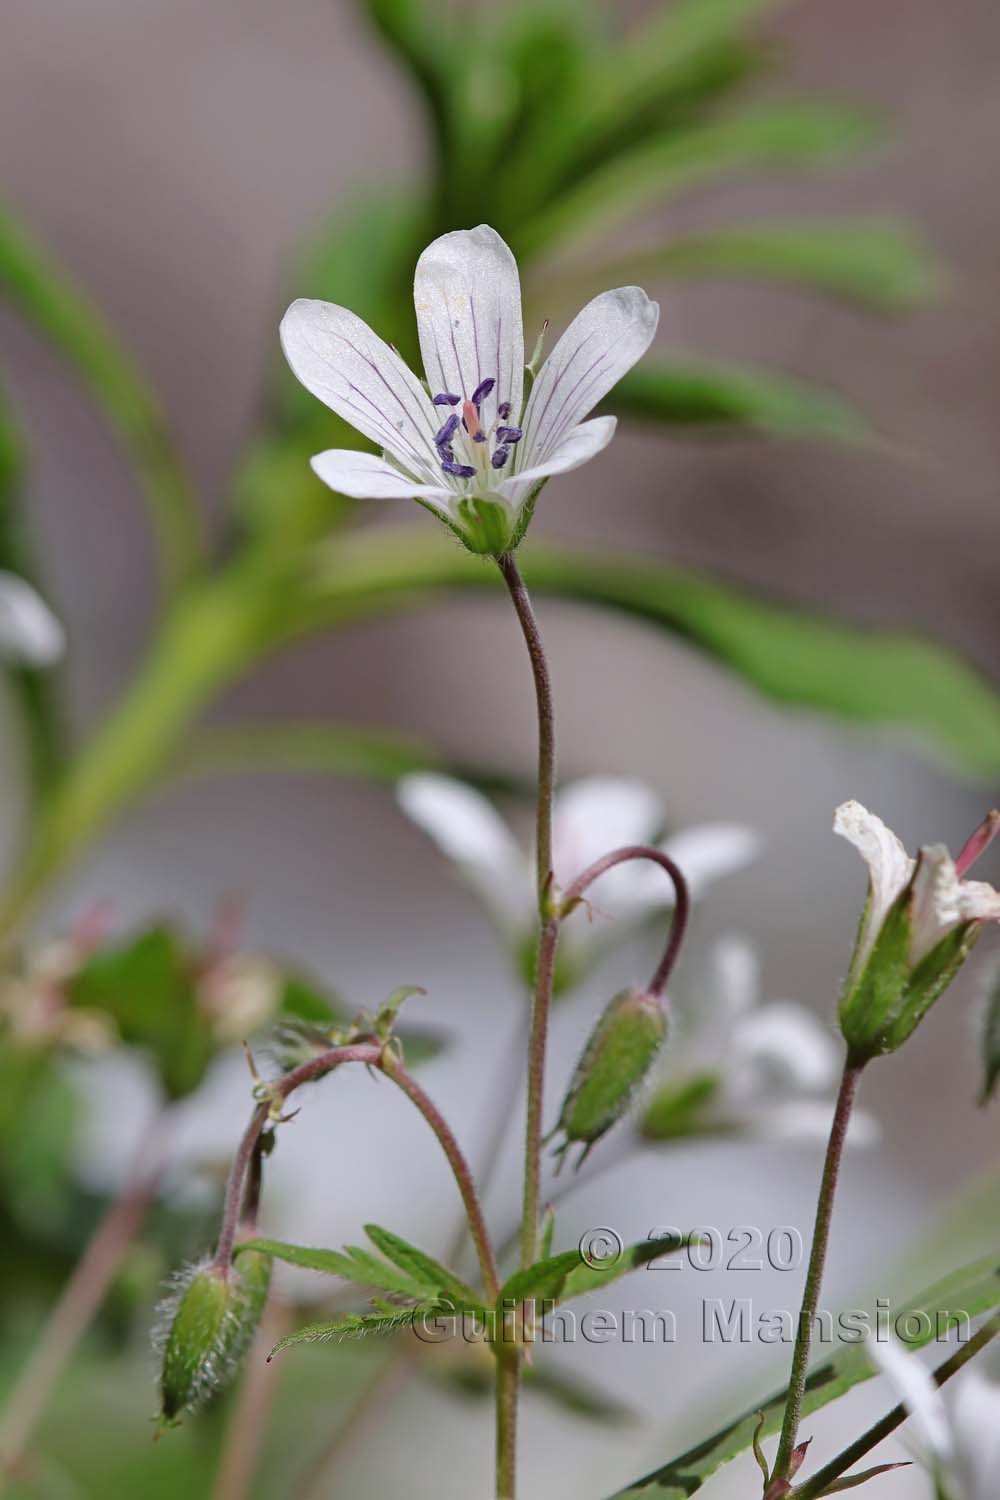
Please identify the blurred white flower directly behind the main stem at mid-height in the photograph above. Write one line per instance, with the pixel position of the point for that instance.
(590, 818)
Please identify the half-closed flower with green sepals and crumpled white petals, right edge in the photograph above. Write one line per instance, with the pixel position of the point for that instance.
(917, 931)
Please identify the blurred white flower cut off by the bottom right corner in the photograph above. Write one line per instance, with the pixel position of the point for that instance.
(957, 1432)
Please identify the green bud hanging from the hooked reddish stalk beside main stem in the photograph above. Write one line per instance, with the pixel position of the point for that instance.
(615, 1061)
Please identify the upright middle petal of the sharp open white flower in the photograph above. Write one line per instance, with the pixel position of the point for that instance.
(467, 295)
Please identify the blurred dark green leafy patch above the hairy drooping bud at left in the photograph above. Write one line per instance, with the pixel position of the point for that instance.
(149, 988)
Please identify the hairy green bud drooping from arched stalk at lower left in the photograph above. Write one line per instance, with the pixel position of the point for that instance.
(206, 1325)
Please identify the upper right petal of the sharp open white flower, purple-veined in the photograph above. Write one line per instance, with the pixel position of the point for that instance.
(600, 346)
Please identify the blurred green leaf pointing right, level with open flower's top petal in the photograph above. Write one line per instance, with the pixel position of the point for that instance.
(876, 263)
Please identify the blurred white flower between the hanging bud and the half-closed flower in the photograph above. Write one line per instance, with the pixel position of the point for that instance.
(737, 1066)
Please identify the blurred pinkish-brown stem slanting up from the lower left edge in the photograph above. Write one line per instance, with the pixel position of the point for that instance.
(77, 1306)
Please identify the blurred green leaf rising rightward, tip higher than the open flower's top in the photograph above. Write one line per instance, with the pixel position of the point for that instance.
(765, 137)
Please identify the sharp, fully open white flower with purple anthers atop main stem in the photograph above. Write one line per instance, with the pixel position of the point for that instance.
(467, 437)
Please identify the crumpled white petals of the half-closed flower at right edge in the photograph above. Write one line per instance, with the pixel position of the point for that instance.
(942, 901)
